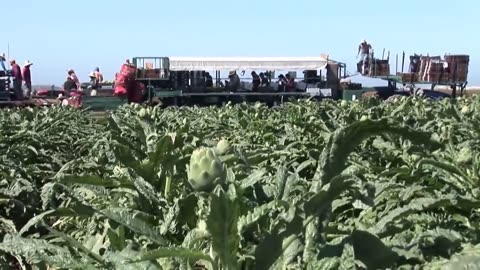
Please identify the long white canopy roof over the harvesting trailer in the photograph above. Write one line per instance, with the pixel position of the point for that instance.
(245, 63)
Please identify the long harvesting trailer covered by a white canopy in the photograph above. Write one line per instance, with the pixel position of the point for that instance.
(179, 81)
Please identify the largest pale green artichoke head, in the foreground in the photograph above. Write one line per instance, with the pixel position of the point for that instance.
(205, 170)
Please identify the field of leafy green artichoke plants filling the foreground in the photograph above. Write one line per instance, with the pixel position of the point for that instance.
(307, 185)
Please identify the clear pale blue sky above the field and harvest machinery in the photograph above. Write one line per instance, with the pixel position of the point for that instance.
(57, 35)
